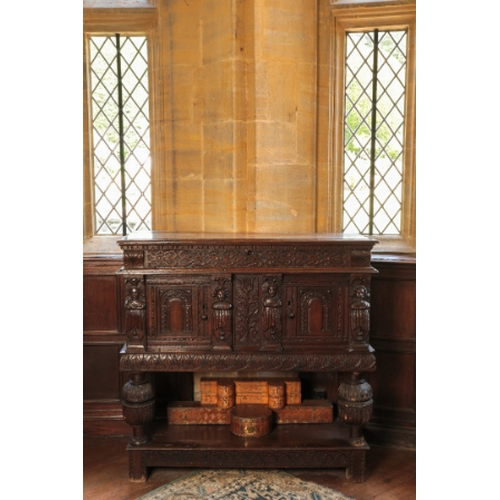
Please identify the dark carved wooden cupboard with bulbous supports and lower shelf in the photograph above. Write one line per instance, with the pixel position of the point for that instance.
(204, 303)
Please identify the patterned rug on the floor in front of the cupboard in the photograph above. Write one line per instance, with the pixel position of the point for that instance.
(242, 485)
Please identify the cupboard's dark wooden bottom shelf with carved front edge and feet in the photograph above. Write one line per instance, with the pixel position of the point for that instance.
(213, 446)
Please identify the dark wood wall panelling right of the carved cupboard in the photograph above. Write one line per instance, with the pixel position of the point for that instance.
(393, 335)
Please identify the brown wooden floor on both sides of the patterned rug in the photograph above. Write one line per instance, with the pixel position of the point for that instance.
(391, 474)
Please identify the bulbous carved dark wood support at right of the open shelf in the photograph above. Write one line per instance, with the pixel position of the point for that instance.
(355, 406)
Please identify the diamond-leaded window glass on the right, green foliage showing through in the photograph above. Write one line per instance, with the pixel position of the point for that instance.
(373, 132)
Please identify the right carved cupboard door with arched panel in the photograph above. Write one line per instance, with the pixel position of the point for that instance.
(316, 311)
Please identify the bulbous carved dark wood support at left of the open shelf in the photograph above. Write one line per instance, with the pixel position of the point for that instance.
(138, 407)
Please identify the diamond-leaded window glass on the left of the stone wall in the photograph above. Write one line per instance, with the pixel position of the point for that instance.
(120, 134)
